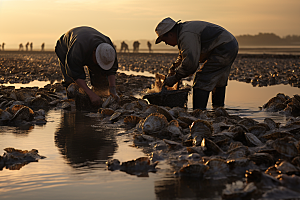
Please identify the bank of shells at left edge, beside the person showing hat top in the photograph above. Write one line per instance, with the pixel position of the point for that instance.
(26, 106)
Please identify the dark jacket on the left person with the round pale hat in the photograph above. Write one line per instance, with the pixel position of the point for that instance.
(75, 50)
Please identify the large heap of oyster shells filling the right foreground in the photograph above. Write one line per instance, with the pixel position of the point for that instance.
(214, 144)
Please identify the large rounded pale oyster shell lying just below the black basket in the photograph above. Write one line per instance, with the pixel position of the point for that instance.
(154, 123)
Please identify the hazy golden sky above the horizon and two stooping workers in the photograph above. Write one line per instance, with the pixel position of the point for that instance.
(39, 21)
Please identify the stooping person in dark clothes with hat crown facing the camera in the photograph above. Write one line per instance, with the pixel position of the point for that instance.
(85, 46)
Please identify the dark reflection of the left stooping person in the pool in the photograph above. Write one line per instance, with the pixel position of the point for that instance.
(80, 143)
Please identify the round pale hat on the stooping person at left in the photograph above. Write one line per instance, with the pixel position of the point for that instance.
(105, 56)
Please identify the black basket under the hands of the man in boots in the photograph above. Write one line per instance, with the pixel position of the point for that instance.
(170, 98)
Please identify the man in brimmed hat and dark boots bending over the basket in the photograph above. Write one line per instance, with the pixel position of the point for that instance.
(200, 42)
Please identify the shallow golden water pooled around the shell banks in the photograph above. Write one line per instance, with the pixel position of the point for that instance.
(77, 148)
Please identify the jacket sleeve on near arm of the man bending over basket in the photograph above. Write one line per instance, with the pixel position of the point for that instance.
(189, 50)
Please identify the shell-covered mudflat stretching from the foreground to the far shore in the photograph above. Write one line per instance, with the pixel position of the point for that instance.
(206, 145)
